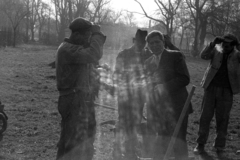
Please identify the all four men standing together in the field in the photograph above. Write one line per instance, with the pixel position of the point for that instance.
(151, 73)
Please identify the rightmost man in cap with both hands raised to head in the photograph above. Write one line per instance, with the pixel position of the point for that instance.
(220, 82)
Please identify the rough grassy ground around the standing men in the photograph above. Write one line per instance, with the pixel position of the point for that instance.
(28, 91)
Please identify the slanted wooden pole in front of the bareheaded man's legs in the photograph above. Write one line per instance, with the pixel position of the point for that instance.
(179, 123)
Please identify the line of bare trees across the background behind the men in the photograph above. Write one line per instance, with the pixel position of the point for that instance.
(191, 23)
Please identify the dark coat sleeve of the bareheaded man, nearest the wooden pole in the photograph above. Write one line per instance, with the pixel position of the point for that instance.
(182, 77)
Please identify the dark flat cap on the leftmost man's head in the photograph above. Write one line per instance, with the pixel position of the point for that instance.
(80, 24)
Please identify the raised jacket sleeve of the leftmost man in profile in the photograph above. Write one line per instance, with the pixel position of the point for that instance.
(91, 54)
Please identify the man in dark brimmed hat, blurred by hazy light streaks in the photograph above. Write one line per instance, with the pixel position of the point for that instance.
(128, 72)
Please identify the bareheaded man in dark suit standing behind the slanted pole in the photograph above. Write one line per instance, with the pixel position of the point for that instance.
(169, 77)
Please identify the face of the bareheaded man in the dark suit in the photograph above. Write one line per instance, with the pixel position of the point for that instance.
(155, 44)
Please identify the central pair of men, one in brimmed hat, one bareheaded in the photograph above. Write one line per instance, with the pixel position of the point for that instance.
(156, 77)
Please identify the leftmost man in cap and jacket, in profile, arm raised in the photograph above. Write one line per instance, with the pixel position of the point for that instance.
(76, 74)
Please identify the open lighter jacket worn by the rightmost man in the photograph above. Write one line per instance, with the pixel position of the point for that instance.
(211, 53)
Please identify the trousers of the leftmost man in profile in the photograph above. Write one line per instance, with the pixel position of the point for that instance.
(78, 129)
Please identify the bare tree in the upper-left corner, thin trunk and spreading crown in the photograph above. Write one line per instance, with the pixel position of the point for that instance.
(15, 11)
